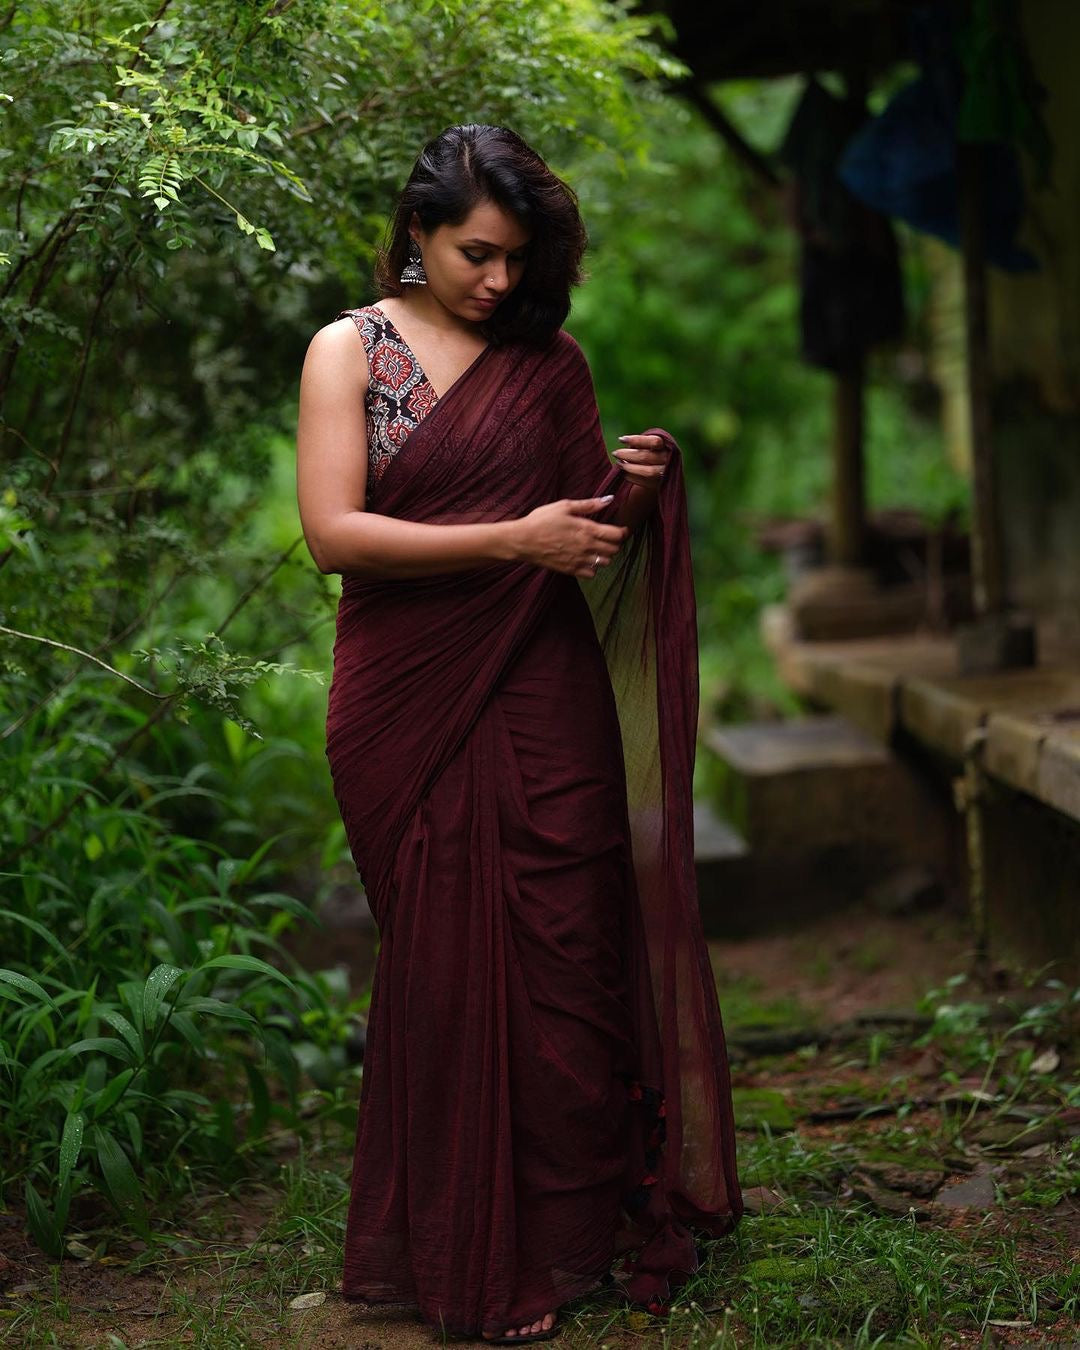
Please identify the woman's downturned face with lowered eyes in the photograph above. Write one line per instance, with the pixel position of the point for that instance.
(473, 267)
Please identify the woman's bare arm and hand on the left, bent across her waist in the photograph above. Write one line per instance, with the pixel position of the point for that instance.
(333, 483)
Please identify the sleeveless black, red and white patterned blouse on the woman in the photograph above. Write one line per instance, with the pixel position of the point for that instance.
(399, 394)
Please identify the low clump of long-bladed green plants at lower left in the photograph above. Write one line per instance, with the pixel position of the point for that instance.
(153, 1039)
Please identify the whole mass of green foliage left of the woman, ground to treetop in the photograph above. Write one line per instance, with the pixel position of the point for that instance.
(188, 192)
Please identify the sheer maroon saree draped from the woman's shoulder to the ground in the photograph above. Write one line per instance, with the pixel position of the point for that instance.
(546, 1082)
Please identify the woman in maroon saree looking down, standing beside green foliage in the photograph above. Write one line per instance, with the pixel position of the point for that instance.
(511, 736)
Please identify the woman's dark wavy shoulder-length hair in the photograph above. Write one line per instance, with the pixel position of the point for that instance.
(472, 164)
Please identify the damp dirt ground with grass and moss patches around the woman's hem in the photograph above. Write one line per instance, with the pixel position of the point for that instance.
(904, 1175)
